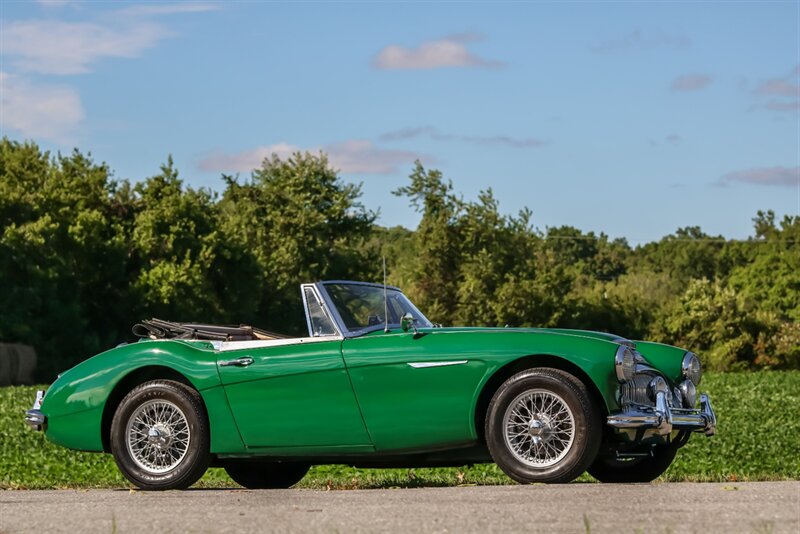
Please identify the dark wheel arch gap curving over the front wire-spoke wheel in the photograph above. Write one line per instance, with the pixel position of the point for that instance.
(521, 364)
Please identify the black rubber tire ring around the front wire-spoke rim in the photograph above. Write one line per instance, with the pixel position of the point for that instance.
(585, 420)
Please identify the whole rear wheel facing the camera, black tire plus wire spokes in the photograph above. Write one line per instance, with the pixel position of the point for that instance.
(186, 436)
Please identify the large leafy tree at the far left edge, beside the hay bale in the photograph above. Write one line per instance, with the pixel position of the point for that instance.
(59, 254)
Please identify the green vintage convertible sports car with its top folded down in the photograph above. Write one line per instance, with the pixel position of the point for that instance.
(376, 384)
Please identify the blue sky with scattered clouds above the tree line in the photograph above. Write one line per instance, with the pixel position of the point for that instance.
(631, 118)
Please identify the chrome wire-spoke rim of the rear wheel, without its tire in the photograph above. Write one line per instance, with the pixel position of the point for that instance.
(157, 436)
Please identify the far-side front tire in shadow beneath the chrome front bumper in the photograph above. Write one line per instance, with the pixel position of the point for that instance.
(608, 468)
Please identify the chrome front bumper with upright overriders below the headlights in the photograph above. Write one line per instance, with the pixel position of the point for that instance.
(664, 418)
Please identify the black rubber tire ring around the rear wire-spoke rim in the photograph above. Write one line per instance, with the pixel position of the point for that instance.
(196, 458)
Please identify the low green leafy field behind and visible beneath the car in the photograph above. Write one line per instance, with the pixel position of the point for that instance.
(759, 425)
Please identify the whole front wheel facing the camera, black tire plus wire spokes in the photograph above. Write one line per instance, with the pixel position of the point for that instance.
(544, 385)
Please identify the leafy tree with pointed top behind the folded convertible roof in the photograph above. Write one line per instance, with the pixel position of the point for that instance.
(183, 266)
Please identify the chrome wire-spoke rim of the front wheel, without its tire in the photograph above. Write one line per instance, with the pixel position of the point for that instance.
(539, 428)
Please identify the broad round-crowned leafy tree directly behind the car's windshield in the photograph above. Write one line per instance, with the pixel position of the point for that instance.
(302, 223)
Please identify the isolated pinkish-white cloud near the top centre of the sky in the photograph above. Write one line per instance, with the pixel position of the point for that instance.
(450, 51)
